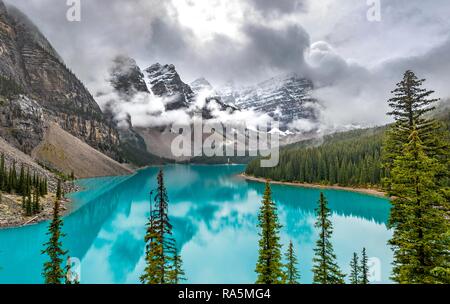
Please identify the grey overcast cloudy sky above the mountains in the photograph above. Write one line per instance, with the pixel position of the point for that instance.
(354, 62)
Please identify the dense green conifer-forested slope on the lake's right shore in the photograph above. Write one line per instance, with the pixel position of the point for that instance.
(347, 159)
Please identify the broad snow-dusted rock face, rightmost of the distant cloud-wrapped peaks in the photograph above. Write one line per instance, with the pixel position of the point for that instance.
(285, 98)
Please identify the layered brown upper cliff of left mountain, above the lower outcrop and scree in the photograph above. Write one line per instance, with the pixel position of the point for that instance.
(27, 59)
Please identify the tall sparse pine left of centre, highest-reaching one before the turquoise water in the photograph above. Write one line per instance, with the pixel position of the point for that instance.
(160, 243)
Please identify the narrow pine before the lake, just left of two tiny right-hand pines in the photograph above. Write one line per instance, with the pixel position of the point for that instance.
(325, 269)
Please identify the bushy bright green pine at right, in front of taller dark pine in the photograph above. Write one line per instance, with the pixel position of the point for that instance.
(419, 216)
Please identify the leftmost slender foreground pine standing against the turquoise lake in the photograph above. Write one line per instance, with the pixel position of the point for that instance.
(54, 272)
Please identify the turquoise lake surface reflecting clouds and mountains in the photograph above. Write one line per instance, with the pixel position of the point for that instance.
(214, 214)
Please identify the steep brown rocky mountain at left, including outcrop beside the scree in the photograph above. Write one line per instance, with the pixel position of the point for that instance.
(38, 90)
